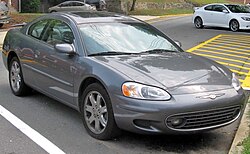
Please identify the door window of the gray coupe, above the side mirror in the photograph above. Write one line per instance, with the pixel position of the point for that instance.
(58, 32)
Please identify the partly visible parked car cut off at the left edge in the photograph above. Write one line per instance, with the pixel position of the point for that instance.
(4, 10)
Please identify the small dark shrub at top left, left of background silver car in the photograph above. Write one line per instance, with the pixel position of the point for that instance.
(30, 6)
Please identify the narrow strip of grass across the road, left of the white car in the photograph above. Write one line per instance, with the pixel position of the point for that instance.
(159, 12)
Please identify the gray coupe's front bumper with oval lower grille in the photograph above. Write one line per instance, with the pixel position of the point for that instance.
(195, 114)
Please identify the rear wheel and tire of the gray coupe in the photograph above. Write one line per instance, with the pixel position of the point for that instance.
(17, 85)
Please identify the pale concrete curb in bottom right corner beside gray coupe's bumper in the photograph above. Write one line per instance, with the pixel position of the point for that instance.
(242, 132)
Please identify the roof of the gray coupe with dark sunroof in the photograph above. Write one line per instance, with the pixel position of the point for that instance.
(97, 17)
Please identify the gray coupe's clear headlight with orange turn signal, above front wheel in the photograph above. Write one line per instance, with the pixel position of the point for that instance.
(140, 91)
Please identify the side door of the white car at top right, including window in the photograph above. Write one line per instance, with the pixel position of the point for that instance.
(220, 18)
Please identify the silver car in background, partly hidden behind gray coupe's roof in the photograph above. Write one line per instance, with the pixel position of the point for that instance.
(71, 6)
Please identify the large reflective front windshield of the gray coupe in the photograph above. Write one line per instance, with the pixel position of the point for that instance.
(123, 38)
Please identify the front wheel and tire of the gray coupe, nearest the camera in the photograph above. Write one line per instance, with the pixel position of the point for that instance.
(97, 113)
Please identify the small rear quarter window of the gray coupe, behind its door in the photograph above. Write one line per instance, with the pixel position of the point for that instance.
(37, 28)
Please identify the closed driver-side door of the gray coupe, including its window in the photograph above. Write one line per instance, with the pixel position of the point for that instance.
(56, 69)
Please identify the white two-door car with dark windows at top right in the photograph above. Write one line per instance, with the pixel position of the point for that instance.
(231, 16)
